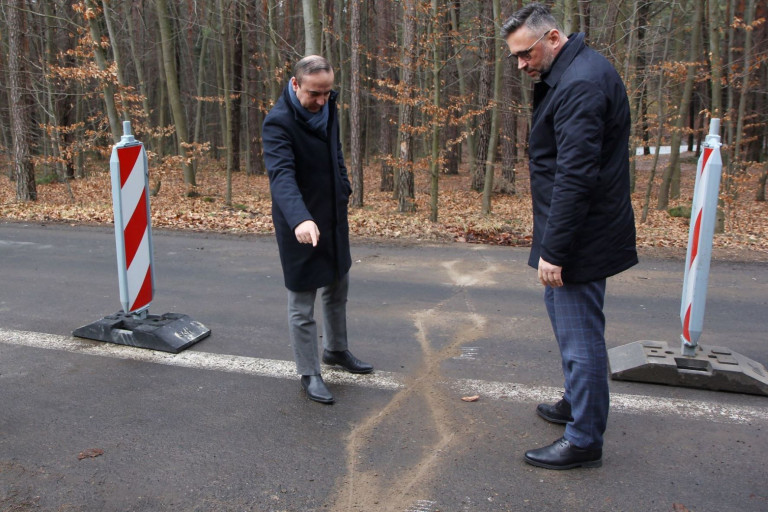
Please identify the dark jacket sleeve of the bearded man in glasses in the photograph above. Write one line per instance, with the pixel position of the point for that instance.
(579, 126)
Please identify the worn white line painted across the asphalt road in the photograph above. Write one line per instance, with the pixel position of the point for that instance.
(631, 404)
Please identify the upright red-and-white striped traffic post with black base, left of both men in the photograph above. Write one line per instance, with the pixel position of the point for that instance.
(133, 325)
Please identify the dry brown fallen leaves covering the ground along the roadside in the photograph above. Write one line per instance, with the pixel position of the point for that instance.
(459, 216)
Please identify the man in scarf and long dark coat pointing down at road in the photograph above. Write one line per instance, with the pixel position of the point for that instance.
(310, 193)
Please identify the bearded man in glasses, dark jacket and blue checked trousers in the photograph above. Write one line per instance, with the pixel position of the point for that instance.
(584, 227)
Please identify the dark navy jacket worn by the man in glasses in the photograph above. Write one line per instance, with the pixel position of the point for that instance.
(579, 167)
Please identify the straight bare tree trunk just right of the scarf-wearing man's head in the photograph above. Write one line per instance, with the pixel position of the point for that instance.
(356, 163)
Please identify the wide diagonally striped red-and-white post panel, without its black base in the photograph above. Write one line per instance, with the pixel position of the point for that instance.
(133, 235)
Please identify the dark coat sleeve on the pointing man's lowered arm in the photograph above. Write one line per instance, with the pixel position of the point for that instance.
(281, 168)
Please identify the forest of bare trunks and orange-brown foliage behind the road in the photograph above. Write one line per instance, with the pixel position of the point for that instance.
(426, 90)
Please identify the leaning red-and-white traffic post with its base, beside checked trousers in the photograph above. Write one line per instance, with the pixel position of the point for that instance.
(694, 365)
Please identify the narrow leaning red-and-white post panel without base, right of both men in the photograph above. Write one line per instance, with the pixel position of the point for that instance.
(702, 229)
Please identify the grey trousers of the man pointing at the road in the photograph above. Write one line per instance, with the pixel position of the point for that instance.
(302, 327)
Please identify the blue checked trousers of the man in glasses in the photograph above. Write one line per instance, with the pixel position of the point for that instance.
(576, 313)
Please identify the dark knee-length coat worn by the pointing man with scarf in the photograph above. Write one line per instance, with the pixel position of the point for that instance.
(308, 181)
